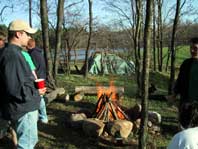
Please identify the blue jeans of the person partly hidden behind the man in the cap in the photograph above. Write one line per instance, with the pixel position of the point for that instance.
(42, 111)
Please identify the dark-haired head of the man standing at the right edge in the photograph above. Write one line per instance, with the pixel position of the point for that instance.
(194, 47)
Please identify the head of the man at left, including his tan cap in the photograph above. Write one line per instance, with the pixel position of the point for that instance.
(19, 33)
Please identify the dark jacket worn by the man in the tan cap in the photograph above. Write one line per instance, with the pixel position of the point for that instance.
(17, 89)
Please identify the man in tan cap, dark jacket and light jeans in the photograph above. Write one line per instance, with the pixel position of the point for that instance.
(19, 98)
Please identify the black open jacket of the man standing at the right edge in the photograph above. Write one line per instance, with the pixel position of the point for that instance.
(182, 83)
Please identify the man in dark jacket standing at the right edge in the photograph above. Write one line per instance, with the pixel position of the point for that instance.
(187, 82)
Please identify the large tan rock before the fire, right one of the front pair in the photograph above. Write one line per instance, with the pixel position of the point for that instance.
(121, 127)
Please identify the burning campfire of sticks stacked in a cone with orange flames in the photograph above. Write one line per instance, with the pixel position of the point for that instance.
(107, 107)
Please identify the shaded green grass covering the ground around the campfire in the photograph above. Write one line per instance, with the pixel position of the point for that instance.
(58, 135)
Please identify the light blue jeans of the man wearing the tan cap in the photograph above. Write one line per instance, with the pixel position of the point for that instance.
(26, 130)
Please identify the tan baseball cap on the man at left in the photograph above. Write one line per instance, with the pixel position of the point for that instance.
(20, 25)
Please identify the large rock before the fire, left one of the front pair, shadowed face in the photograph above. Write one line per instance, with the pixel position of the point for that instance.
(93, 127)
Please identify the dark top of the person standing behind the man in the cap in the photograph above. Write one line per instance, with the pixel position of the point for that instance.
(39, 61)
